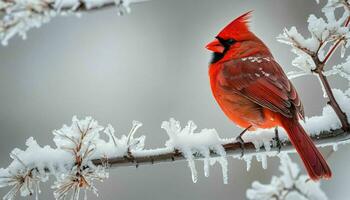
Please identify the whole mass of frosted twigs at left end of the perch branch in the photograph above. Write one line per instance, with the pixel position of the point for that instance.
(70, 162)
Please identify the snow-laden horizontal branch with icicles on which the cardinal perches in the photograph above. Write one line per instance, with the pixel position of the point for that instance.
(81, 157)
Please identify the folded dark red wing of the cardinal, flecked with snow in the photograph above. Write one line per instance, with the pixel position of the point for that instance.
(262, 81)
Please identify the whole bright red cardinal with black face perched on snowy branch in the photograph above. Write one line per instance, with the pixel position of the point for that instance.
(253, 91)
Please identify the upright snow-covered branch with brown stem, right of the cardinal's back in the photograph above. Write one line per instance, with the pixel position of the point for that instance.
(312, 53)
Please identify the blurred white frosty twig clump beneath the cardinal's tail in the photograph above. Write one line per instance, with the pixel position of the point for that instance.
(291, 185)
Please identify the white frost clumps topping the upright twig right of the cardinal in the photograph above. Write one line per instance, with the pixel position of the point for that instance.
(322, 32)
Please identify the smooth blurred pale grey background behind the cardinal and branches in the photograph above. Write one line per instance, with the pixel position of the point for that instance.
(149, 66)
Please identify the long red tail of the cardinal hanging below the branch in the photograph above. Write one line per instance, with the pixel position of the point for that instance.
(313, 160)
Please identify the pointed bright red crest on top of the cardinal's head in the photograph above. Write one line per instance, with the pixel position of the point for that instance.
(237, 27)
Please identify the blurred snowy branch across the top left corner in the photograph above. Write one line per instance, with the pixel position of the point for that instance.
(19, 16)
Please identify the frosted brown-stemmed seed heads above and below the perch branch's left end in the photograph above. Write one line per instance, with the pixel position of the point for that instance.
(79, 140)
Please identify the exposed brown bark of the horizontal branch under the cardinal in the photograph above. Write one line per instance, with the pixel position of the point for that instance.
(325, 138)
